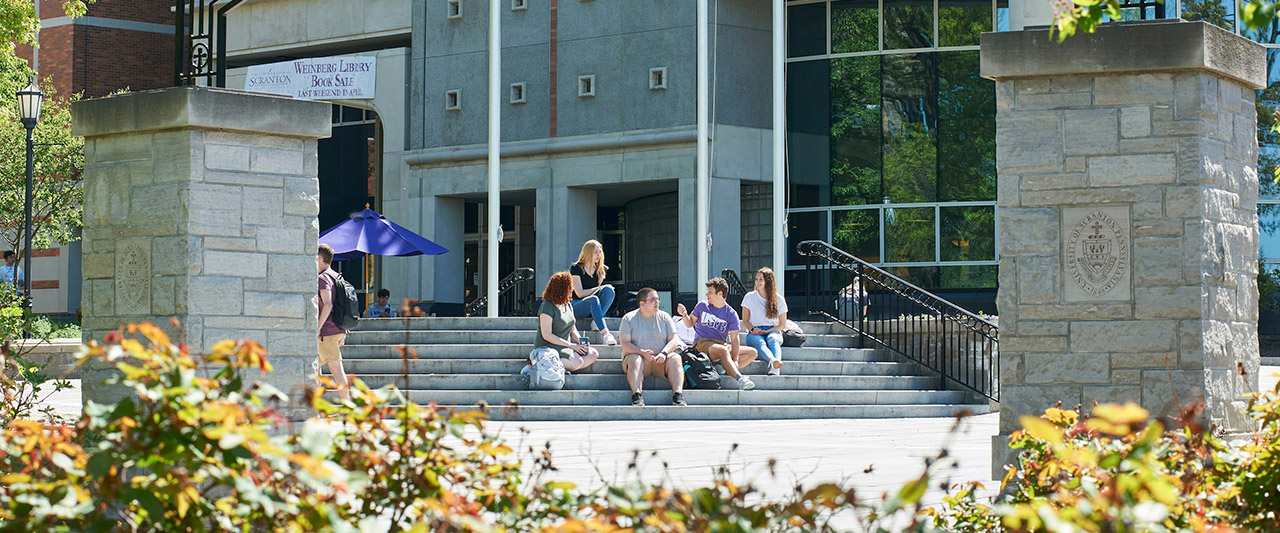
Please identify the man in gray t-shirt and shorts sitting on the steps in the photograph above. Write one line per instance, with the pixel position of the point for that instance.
(650, 347)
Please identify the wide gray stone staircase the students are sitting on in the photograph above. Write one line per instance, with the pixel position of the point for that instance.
(464, 362)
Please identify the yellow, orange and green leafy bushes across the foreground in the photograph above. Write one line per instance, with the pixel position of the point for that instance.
(199, 448)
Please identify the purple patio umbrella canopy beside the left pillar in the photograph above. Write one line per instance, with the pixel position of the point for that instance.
(371, 234)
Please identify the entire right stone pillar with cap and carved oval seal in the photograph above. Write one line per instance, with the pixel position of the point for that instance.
(1128, 220)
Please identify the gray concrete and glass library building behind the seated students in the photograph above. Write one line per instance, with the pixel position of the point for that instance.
(890, 152)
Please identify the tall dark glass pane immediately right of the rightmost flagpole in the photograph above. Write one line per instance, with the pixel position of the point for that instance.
(808, 133)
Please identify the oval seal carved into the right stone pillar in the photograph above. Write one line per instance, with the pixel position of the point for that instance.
(1098, 254)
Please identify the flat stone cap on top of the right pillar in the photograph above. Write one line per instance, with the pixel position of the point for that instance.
(1126, 47)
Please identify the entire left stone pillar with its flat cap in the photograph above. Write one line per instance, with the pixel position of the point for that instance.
(202, 206)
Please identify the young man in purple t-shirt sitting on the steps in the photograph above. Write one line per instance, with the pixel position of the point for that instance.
(716, 326)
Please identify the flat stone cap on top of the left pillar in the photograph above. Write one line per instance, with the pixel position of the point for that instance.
(203, 108)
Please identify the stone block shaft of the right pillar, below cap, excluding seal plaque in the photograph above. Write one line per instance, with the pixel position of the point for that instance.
(1177, 153)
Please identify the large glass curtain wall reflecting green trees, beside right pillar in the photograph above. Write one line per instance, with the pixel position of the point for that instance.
(893, 136)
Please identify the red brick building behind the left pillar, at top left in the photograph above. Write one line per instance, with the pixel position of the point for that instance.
(118, 44)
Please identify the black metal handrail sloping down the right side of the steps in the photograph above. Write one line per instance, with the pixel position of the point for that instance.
(963, 348)
